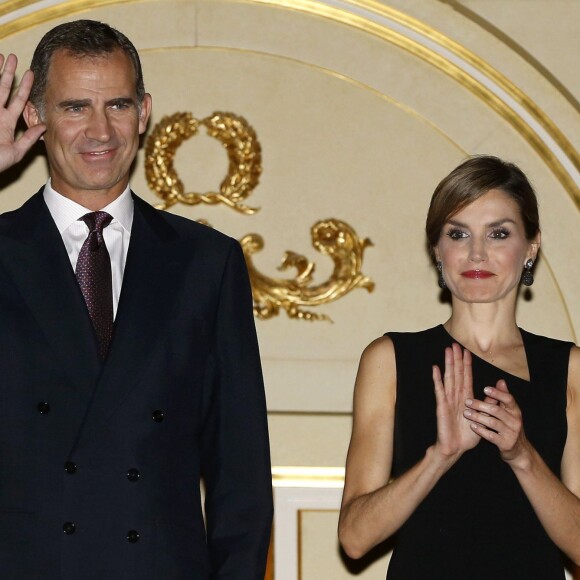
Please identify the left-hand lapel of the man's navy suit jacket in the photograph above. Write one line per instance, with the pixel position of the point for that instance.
(33, 253)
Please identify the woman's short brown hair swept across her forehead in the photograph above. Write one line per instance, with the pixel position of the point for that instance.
(474, 178)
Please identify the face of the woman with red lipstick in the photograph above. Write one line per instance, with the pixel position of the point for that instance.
(483, 249)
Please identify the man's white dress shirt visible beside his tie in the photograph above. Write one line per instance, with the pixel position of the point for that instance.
(66, 213)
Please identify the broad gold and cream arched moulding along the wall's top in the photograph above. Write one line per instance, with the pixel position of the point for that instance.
(404, 31)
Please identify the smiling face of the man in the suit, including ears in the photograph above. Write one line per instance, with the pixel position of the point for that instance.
(93, 124)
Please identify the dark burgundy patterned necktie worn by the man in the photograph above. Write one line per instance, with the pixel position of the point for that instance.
(94, 277)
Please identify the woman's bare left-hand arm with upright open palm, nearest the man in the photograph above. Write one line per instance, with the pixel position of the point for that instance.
(373, 507)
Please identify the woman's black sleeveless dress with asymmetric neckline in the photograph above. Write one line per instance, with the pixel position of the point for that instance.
(477, 523)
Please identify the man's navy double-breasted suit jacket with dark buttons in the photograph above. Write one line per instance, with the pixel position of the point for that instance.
(100, 463)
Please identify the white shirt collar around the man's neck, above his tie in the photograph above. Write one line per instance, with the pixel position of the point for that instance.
(65, 211)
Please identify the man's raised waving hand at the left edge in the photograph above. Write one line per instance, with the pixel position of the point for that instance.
(13, 149)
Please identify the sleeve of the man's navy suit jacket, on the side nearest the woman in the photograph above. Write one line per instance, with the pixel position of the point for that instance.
(236, 456)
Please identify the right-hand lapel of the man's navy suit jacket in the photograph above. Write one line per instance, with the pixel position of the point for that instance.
(152, 276)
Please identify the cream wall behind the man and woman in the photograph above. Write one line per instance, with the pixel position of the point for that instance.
(358, 124)
